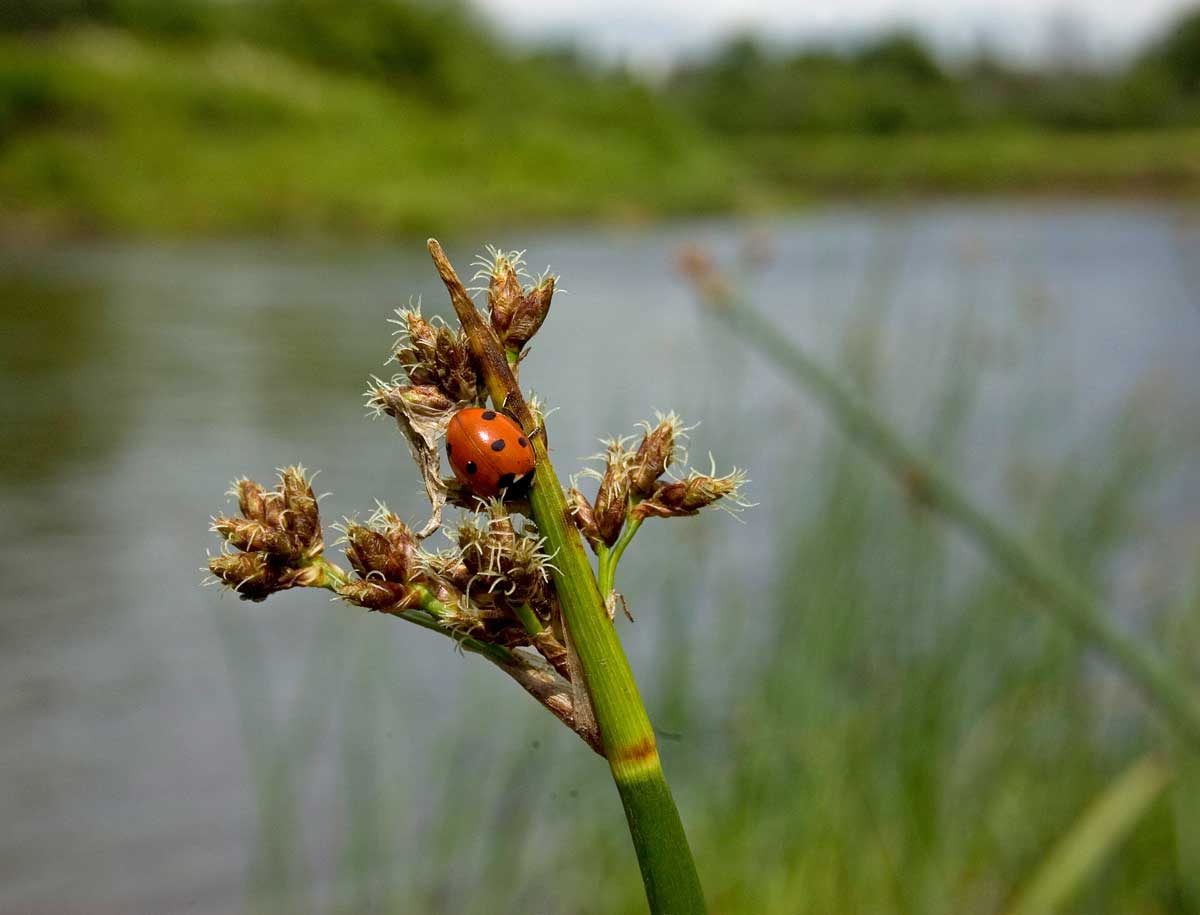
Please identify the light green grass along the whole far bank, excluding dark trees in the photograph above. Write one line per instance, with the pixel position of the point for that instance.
(112, 131)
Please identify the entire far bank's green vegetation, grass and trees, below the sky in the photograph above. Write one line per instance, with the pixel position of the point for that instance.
(128, 117)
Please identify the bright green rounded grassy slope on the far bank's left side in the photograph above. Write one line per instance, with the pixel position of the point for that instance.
(106, 133)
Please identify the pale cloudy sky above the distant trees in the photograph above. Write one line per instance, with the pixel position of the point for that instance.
(650, 34)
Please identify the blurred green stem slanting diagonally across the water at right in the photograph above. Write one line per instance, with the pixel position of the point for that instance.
(1057, 590)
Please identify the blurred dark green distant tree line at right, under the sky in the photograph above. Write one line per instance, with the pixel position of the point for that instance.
(896, 83)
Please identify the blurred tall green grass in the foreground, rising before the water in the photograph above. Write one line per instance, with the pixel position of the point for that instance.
(879, 726)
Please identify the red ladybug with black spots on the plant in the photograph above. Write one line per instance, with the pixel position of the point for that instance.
(488, 451)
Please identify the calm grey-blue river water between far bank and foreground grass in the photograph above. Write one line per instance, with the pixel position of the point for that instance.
(140, 379)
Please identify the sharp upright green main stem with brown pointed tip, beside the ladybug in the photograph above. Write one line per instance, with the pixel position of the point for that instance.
(669, 872)
